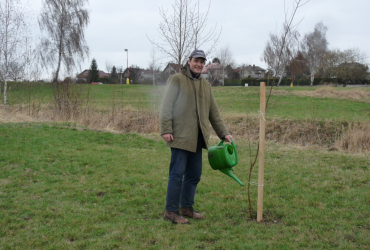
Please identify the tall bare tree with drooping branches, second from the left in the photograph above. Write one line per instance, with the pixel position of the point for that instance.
(64, 23)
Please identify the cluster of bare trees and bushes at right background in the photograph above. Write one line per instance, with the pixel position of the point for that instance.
(310, 57)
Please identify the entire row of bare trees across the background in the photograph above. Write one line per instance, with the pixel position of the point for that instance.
(183, 28)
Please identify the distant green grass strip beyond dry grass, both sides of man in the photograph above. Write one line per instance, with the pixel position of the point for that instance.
(235, 100)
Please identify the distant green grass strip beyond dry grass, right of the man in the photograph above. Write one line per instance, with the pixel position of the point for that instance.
(290, 106)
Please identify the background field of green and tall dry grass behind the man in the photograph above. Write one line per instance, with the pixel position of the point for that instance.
(329, 117)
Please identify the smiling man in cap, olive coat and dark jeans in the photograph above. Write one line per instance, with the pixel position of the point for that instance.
(187, 109)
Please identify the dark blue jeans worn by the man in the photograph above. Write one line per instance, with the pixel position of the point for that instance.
(185, 172)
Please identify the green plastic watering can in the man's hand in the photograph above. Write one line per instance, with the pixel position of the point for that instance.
(223, 157)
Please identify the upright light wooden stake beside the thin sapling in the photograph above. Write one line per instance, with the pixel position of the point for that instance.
(261, 153)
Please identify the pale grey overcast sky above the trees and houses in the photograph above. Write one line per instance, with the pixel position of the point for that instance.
(117, 25)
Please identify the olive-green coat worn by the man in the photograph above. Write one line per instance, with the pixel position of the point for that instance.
(188, 104)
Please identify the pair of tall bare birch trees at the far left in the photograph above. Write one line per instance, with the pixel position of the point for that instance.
(62, 24)
